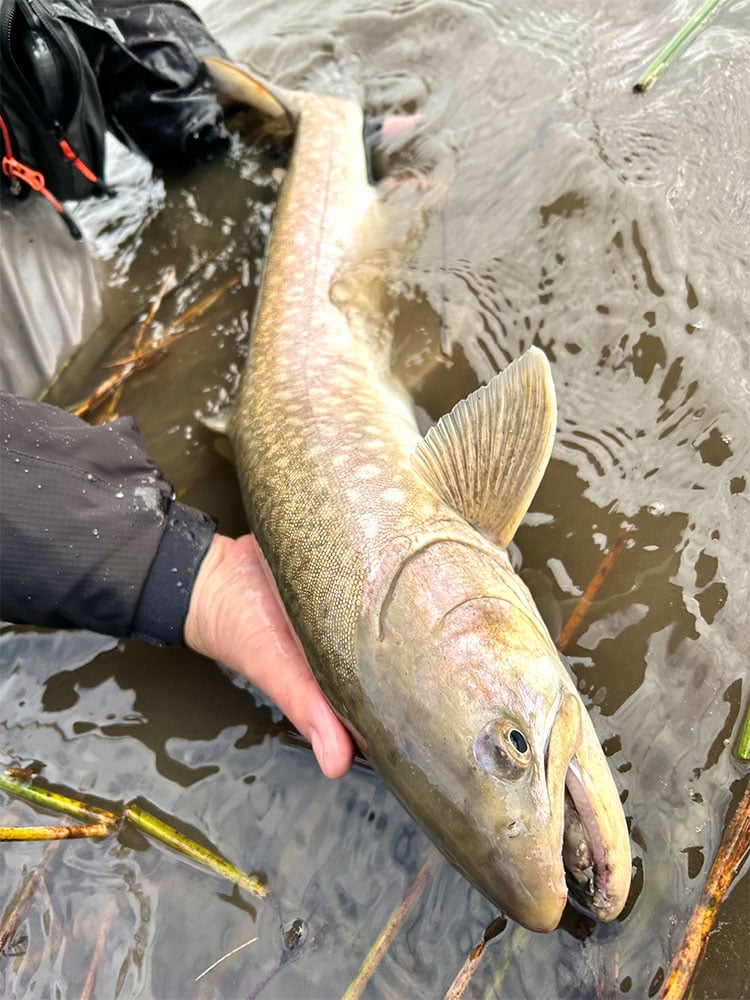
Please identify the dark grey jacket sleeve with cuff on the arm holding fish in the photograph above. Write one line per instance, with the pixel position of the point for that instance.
(90, 534)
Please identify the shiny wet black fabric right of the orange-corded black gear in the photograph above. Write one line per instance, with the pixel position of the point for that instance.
(154, 86)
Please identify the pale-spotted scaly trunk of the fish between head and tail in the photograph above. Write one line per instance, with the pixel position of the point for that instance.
(303, 420)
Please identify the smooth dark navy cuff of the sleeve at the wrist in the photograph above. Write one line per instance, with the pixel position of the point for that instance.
(163, 605)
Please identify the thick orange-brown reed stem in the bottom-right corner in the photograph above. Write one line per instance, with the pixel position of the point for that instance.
(733, 848)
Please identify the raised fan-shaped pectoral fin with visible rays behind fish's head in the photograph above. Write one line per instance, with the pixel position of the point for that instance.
(487, 456)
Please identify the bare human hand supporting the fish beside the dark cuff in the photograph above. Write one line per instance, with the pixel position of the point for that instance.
(236, 617)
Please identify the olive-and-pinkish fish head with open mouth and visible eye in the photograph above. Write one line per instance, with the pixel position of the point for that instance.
(493, 747)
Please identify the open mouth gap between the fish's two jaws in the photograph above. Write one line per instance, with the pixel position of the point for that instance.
(583, 850)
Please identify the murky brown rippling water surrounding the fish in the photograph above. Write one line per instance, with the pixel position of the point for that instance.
(609, 228)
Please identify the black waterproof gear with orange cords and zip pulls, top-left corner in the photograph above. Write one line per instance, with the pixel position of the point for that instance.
(69, 65)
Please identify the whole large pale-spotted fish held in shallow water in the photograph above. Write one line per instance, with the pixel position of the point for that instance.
(389, 548)
